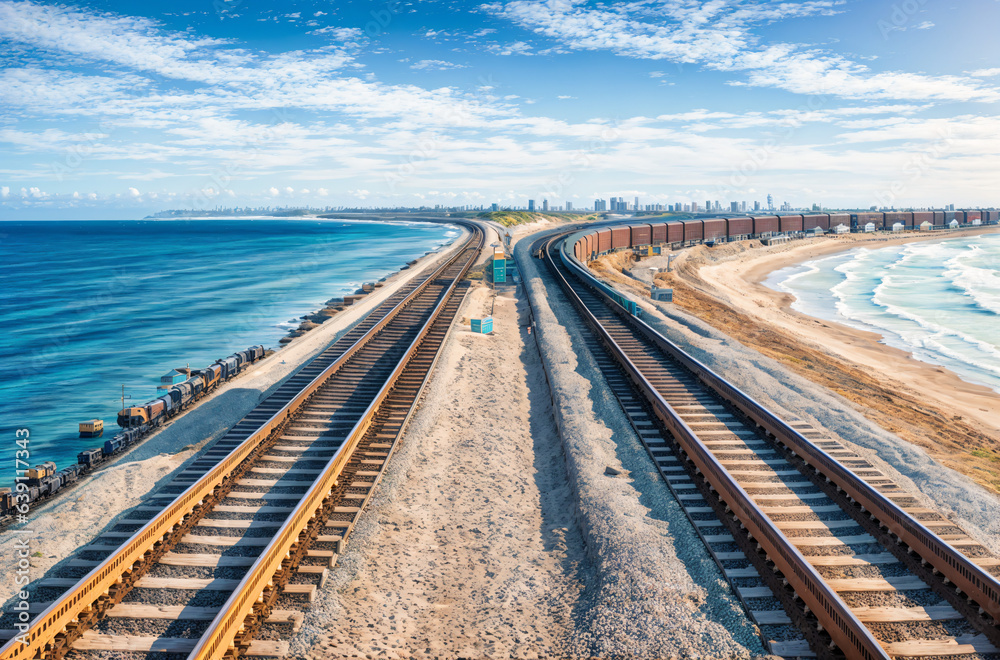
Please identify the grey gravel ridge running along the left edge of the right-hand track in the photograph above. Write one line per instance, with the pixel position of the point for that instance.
(658, 593)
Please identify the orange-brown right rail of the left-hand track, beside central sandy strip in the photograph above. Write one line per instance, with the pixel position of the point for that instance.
(217, 640)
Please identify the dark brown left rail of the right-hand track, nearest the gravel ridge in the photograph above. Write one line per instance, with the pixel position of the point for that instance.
(847, 632)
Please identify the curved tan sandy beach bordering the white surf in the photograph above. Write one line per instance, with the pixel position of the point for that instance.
(922, 403)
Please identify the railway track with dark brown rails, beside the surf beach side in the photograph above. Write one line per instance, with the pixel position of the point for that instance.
(813, 539)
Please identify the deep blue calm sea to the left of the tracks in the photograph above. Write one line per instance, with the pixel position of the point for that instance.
(88, 307)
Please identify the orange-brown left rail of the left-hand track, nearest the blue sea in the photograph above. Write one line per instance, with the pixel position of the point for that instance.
(65, 611)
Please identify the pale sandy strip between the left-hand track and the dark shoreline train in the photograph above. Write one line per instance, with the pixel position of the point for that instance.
(59, 527)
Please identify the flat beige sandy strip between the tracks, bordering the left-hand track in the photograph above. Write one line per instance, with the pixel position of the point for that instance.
(469, 548)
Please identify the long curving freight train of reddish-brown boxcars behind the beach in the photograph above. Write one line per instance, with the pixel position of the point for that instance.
(681, 233)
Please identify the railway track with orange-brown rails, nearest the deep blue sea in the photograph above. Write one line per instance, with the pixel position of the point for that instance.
(218, 562)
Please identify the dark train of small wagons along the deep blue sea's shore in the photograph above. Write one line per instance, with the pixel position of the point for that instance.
(43, 480)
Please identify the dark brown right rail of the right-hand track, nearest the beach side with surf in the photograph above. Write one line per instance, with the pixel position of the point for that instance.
(969, 579)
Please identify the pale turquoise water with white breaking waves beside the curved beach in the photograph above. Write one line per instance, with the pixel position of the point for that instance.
(939, 300)
